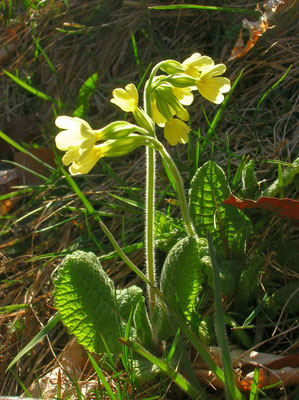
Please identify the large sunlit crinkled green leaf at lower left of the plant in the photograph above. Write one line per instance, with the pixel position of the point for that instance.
(84, 297)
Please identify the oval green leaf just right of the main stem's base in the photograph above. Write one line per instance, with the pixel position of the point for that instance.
(183, 274)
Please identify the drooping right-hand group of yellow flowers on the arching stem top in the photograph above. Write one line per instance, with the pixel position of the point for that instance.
(175, 90)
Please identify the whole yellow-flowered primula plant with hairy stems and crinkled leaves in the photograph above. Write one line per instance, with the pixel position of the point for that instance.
(89, 305)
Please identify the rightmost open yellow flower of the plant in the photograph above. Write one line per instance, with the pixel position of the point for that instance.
(210, 85)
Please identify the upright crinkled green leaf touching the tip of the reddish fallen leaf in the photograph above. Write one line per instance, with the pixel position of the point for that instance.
(209, 187)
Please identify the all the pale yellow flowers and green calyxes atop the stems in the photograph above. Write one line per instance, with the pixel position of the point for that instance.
(169, 95)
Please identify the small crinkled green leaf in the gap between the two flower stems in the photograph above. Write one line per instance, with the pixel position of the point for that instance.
(168, 231)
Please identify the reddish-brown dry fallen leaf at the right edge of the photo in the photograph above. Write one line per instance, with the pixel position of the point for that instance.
(283, 208)
